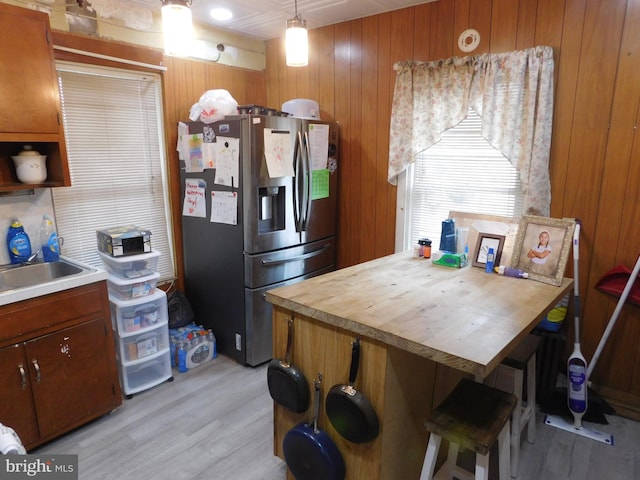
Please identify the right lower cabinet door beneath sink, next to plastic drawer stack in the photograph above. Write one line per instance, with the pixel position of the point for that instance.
(71, 376)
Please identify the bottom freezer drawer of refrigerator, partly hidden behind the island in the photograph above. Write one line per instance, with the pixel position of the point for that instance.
(258, 335)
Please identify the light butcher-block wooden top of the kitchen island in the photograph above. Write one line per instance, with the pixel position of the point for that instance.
(464, 318)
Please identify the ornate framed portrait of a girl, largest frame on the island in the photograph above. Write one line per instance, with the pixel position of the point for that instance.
(542, 247)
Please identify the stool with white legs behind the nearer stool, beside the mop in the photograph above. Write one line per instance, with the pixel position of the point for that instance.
(523, 357)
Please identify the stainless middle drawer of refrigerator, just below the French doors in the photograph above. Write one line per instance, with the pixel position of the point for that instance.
(276, 266)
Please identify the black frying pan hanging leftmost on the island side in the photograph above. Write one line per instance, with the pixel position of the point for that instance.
(287, 385)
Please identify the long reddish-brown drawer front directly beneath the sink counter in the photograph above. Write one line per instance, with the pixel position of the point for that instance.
(36, 316)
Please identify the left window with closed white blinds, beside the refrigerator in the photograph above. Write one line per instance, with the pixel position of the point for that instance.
(115, 144)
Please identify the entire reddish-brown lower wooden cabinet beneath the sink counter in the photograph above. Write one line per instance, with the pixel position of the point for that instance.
(63, 373)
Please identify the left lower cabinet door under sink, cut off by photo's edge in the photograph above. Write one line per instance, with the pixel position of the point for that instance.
(16, 401)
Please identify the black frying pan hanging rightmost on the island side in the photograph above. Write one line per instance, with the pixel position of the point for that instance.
(349, 411)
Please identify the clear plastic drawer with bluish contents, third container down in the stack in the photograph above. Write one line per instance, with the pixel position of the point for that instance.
(130, 317)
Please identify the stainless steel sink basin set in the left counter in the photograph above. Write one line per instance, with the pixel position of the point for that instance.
(21, 276)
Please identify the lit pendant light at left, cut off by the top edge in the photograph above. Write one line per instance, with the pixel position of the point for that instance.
(177, 27)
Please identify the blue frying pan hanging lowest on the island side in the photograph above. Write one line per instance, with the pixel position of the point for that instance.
(310, 453)
